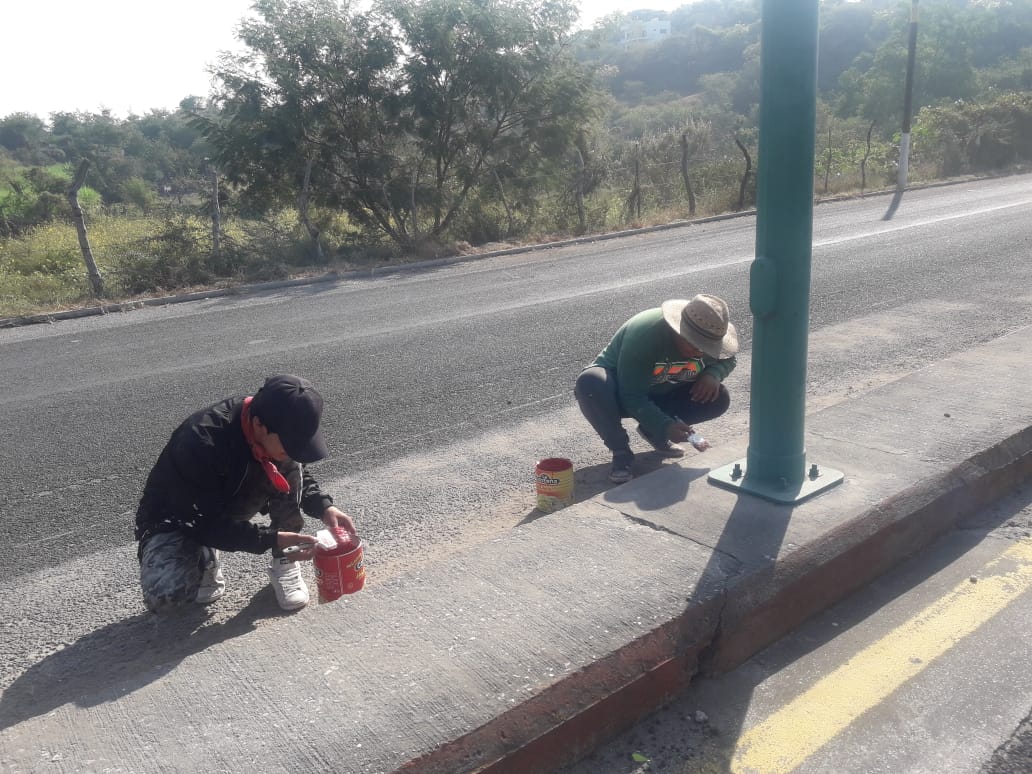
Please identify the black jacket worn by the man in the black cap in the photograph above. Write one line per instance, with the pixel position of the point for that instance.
(207, 483)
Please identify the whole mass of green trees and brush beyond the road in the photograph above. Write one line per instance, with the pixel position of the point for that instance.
(390, 133)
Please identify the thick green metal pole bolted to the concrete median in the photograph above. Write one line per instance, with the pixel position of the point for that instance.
(780, 295)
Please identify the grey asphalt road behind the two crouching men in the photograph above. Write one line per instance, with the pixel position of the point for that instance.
(444, 385)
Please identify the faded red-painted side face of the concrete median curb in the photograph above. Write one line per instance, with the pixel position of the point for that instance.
(721, 635)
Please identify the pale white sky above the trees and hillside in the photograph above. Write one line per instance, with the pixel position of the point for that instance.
(134, 57)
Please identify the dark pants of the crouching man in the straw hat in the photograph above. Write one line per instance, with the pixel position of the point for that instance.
(597, 394)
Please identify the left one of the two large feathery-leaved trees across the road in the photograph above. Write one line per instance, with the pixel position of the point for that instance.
(309, 99)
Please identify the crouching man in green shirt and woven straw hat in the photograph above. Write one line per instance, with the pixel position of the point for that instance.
(665, 368)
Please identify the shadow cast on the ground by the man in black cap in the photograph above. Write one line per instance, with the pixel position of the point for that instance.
(122, 658)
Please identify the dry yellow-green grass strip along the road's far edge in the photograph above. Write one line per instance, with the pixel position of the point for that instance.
(141, 256)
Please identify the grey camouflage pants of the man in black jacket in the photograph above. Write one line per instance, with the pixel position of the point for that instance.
(172, 565)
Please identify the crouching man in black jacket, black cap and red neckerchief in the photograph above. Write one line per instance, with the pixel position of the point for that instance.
(221, 468)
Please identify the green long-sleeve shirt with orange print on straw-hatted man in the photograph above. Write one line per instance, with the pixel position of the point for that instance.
(644, 357)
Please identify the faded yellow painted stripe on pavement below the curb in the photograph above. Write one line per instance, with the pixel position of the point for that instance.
(785, 740)
